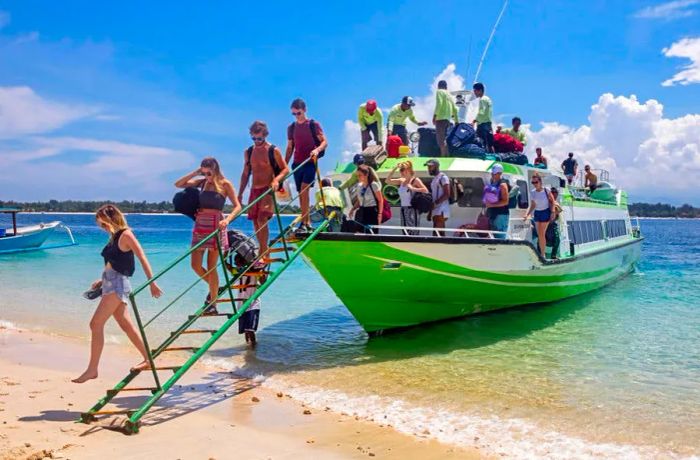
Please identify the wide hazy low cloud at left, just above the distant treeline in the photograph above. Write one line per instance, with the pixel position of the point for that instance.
(68, 167)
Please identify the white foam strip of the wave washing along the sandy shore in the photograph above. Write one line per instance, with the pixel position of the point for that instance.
(493, 435)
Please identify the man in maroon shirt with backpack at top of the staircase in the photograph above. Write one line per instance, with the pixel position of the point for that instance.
(306, 141)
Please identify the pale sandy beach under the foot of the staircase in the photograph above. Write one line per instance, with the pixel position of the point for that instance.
(218, 415)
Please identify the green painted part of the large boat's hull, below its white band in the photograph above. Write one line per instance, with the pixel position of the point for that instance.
(385, 287)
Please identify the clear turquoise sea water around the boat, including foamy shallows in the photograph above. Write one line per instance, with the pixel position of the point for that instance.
(614, 373)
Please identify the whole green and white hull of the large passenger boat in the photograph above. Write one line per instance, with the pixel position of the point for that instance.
(390, 282)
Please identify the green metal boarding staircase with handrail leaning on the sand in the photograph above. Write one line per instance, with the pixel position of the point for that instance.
(287, 244)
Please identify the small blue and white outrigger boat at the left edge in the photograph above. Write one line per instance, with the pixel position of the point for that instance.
(31, 237)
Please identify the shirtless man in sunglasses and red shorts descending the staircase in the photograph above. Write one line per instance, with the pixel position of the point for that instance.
(264, 161)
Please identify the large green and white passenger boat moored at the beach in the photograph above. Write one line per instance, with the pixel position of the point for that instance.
(390, 279)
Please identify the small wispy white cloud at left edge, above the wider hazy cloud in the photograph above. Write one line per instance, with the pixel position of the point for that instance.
(22, 112)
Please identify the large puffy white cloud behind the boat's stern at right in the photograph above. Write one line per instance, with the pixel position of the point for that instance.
(632, 140)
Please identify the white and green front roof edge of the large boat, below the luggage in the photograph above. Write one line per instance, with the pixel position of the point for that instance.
(447, 164)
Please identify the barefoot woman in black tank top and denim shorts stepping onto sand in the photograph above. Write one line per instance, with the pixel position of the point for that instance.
(118, 257)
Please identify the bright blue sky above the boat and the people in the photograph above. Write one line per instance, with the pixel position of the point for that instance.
(189, 80)
